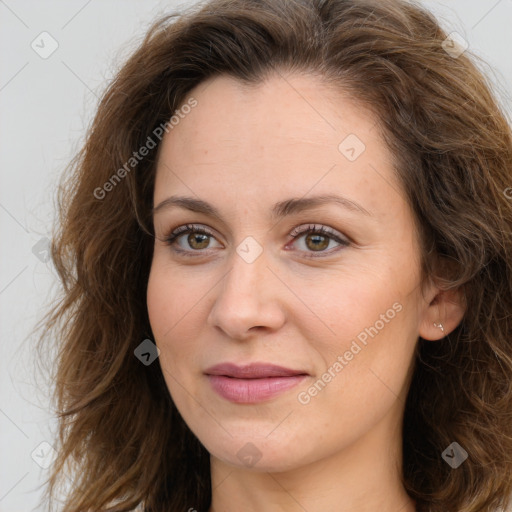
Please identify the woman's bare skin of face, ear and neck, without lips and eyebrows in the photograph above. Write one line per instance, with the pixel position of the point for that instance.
(243, 150)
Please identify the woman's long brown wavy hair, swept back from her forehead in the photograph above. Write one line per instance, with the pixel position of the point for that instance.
(121, 440)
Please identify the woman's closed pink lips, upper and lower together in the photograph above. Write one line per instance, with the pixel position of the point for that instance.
(252, 383)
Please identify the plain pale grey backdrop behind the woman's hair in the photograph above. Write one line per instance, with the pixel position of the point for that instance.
(56, 59)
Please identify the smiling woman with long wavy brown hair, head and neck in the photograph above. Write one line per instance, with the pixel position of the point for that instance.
(286, 256)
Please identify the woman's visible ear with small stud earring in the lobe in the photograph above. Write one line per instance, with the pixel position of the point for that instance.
(446, 307)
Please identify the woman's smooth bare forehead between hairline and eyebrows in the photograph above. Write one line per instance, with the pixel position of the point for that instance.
(289, 133)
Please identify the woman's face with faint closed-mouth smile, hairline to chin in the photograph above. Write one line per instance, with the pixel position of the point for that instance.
(338, 312)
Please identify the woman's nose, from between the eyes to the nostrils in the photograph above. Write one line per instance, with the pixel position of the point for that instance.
(248, 299)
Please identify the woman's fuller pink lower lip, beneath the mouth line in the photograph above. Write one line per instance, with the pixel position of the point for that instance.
(249, 391)
